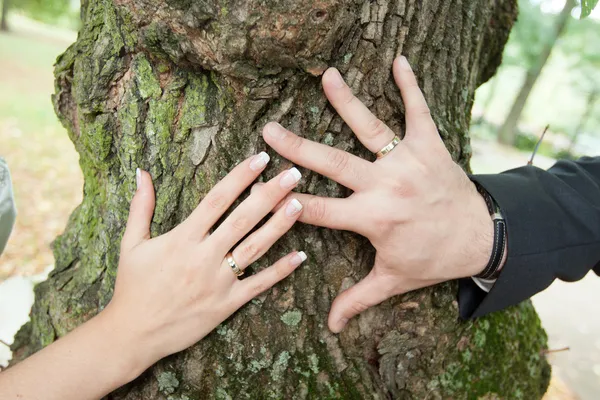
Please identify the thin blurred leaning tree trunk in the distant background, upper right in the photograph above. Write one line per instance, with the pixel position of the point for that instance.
(508, 131)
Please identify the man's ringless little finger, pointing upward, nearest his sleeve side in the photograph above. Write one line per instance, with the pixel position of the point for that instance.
(418, 117)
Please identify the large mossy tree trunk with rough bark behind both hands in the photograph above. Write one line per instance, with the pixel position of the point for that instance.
(183, 88)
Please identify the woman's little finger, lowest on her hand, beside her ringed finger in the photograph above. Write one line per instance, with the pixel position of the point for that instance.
(247, 289)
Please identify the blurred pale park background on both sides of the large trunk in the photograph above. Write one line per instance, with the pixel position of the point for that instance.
(550, 77)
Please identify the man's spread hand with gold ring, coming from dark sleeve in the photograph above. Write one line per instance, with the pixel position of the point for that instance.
(418, 208)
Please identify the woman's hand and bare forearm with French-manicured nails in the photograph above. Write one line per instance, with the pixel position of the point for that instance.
(171, 290)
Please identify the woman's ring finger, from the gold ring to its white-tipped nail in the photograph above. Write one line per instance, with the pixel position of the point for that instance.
(257, 244)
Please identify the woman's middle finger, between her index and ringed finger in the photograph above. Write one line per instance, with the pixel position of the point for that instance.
(253, 209)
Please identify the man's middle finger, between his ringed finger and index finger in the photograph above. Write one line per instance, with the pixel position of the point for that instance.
(345, 168)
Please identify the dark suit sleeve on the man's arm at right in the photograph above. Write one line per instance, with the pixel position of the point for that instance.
(553, 231)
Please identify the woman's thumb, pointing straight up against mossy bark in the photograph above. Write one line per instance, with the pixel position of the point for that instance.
(140, 212)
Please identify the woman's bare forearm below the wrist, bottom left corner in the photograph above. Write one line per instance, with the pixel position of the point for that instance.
(88, 363)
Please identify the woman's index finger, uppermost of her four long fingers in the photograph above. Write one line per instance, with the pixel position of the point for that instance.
(222, 196)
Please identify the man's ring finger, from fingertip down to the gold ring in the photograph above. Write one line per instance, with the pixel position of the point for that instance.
(370, 130)
